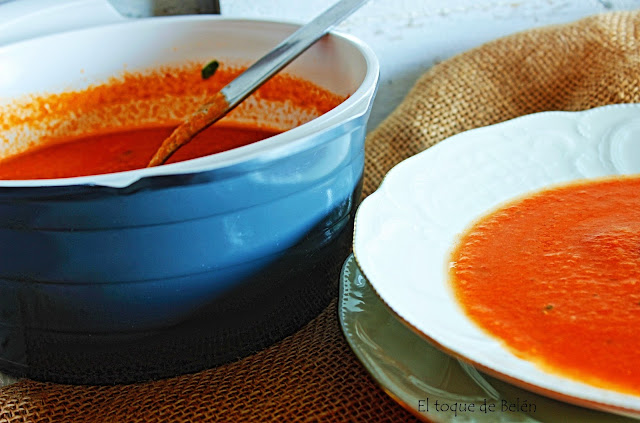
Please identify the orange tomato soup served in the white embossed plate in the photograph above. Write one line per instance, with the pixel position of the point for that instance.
(556, 277)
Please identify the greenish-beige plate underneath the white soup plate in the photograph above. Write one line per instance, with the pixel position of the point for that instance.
(411, 370)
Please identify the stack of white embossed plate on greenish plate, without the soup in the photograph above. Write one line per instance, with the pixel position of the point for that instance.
(397, 310)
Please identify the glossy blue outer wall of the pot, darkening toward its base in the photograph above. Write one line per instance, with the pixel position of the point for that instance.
(182, 289)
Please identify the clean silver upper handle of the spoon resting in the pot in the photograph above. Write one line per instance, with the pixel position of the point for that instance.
(290, 48)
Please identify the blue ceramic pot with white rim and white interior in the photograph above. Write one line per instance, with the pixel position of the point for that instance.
(156, 272)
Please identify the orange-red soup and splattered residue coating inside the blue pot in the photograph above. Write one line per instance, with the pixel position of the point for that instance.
(117, 125)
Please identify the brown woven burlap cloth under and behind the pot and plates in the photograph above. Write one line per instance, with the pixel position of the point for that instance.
(313, 375)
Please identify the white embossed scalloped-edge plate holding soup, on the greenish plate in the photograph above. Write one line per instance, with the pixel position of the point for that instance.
(406, 229)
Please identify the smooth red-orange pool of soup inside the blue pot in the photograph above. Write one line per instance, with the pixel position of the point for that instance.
(119, 151)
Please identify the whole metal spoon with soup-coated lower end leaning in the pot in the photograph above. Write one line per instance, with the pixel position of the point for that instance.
(252, 78)
